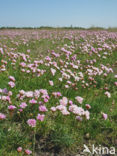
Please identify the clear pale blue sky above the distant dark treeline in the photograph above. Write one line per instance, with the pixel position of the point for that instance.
(58, 13)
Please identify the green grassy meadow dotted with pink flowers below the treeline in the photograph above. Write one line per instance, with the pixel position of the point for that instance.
(58, 91)
